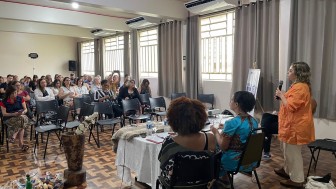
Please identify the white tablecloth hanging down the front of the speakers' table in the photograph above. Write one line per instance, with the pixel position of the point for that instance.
(140, 156)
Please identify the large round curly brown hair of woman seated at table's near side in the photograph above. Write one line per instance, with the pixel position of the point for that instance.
(186, 116)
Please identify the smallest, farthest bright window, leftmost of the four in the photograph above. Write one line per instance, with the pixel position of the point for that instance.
(87, 58)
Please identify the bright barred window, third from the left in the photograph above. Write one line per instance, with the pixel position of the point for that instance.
(148, 53)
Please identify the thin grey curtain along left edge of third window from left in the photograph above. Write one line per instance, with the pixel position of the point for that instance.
(135, 54)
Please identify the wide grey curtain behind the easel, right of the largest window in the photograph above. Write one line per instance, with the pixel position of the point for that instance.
(257, 41)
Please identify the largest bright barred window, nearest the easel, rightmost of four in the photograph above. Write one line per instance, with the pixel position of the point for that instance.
(217, 34)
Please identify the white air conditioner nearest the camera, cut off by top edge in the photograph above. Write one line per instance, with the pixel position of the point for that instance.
(207, 6)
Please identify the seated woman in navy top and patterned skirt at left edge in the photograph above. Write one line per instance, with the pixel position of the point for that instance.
(14, 111)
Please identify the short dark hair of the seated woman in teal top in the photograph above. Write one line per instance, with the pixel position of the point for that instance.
(245, 100)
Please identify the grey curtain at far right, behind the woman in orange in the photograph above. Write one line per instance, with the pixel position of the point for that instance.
(313, 40)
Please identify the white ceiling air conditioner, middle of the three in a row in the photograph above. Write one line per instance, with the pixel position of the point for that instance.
(143, 22)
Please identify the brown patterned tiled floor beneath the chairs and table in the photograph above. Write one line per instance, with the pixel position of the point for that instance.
(101, 171)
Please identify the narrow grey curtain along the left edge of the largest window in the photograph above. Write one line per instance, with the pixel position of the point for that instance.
(193, 73)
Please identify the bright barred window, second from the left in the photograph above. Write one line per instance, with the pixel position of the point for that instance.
(114, 55)
